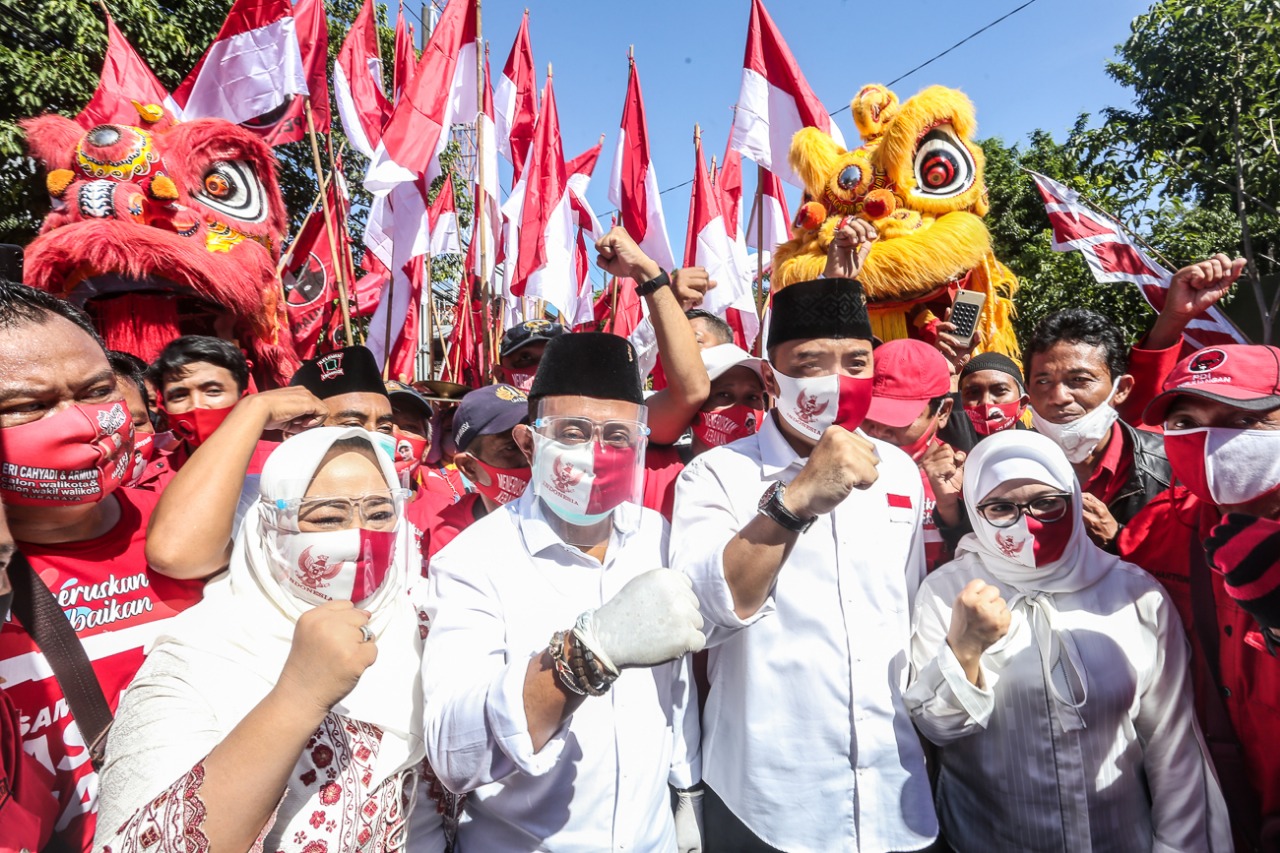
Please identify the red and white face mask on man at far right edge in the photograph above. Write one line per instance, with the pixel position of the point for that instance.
(1226, 467)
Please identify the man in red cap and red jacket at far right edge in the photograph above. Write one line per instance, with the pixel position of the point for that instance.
(1220, 410)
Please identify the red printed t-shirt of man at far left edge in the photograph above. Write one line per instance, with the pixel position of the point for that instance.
(117, 605)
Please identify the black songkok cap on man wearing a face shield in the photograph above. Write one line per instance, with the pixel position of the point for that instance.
(589, 364)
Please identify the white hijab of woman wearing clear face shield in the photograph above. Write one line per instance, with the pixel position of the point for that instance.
(237, 640)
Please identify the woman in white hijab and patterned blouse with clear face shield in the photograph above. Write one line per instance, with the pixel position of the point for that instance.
(286, 709)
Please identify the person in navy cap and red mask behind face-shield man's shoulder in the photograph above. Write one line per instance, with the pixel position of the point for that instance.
(490, 458)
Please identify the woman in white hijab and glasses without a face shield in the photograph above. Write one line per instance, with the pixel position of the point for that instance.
(1066, 719)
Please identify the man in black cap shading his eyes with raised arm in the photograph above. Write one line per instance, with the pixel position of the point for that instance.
(342, 389)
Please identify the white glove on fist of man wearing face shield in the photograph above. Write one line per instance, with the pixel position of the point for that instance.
(653, 619)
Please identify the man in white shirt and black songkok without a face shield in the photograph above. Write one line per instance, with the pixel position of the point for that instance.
(806, 550)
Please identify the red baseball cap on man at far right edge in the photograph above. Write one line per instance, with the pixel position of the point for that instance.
(1237, 375)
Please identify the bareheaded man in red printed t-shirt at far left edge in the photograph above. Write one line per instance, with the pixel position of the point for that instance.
(66, 446)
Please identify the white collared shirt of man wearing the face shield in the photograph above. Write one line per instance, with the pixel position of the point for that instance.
(497, 594)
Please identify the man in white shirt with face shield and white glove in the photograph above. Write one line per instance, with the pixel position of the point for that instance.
(537, 608)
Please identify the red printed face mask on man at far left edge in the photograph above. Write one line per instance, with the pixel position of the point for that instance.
(79, 457)
